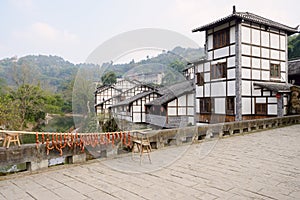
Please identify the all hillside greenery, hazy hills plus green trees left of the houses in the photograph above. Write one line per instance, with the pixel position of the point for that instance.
(32, 86)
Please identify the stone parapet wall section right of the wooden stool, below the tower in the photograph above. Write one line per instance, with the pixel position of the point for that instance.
(166, 137)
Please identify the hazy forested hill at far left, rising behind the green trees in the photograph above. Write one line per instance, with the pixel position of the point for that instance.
(49, 71)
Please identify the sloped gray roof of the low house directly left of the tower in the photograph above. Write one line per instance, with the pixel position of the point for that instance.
(171, 92)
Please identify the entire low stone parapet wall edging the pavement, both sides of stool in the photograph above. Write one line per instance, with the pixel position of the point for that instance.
(37, 158)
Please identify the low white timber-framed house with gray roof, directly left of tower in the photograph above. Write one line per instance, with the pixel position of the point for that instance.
(174, 108)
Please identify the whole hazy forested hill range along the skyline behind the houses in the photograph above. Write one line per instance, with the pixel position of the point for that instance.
(53, 72)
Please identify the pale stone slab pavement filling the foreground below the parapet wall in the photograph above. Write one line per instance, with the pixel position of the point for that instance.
(261, 165)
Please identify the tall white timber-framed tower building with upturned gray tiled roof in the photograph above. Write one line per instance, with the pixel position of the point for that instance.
(245, 73)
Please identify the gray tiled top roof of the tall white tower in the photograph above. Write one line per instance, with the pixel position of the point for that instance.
(251, 18)
